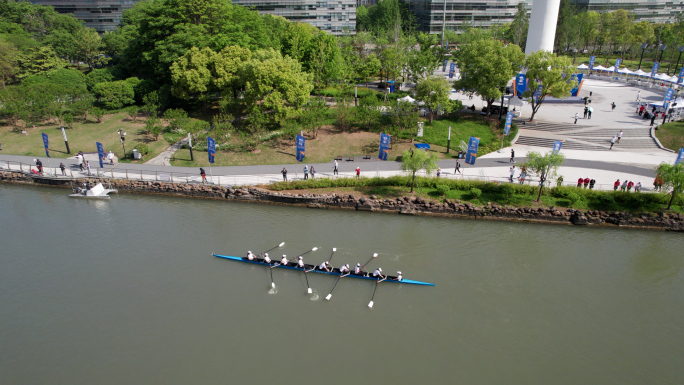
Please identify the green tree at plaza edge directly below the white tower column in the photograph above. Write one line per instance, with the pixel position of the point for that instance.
(552, 72)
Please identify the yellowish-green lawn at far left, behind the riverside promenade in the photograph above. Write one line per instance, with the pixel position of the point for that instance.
(81, 138)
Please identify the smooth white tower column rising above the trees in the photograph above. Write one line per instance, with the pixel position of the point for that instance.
(542, 32)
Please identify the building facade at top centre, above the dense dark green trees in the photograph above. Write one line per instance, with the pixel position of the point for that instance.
(335, 17)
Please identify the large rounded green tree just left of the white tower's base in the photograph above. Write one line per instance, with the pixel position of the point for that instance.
(487, 66)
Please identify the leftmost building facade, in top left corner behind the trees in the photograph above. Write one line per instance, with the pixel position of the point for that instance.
(102, 15)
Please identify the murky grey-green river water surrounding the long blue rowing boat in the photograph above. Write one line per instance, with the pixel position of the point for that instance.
(126, 291)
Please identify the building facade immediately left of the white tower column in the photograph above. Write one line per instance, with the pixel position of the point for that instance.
(478, 13)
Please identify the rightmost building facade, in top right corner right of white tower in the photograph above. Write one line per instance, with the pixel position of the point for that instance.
(656, 11)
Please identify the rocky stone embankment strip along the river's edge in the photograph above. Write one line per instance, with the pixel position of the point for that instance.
(403, 205)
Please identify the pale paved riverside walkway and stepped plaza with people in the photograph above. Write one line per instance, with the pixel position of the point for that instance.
(586, 148)
